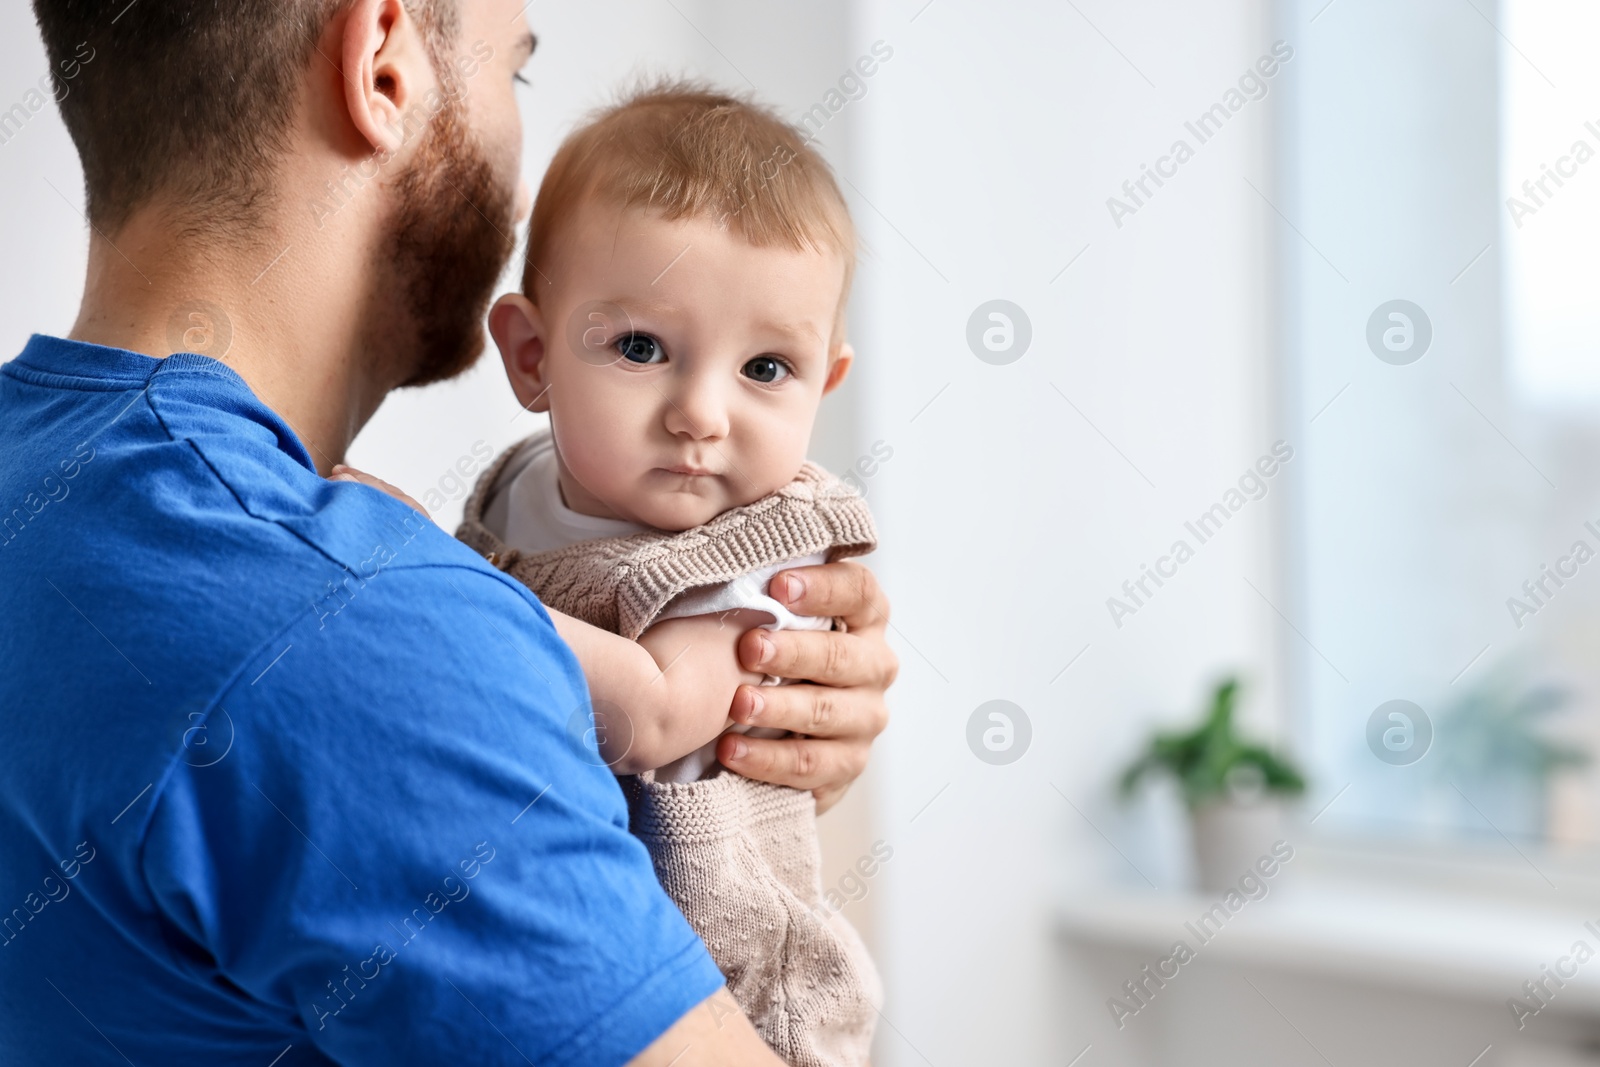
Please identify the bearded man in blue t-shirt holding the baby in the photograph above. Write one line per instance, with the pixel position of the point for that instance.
(292, 777)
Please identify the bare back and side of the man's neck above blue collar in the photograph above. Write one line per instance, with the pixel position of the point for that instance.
(284, 313)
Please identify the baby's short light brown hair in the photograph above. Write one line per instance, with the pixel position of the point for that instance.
(690, 153)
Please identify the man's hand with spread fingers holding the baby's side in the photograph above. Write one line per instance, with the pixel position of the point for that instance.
(842, 711)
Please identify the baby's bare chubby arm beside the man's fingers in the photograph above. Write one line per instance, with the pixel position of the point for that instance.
(674, 685)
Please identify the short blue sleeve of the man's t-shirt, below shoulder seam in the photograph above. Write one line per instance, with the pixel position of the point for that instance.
(396, 834)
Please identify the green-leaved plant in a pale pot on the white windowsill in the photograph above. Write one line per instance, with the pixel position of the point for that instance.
(1233, 788)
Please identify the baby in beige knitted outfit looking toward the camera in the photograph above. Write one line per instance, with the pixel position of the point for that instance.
(682, 318)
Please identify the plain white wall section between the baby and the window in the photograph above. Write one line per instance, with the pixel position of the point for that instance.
(988, 151)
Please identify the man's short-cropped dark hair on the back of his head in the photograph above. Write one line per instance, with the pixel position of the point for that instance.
(190, 100)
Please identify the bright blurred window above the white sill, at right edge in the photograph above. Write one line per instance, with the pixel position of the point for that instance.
(1441, 172)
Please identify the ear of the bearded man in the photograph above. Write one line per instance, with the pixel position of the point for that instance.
(386, 73)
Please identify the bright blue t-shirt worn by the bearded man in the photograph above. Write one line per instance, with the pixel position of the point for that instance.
(284, 769)
